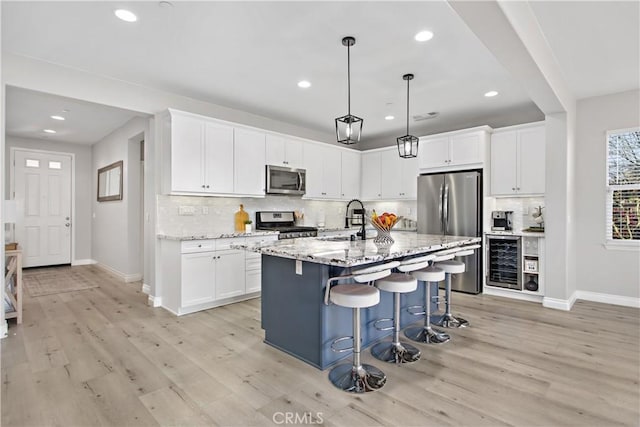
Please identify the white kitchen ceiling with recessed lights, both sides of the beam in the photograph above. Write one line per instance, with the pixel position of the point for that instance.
(250, 56)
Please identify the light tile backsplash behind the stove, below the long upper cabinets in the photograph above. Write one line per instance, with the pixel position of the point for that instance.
(216, 214)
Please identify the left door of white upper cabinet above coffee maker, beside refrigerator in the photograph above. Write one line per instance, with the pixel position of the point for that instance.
(503, 163)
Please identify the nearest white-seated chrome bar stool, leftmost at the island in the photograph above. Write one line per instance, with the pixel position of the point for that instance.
(357, 377)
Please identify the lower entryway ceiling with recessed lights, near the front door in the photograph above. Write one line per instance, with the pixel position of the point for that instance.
(29, 113)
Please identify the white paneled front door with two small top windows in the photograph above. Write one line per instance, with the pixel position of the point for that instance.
(42, 190)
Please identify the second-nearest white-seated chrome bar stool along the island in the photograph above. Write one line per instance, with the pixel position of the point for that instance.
(398, 283)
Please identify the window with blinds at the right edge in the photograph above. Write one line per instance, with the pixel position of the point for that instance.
(623, 187)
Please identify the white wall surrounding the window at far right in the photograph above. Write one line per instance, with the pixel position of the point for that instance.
(601, 270)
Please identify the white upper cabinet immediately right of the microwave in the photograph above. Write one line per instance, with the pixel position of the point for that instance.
(323, 165)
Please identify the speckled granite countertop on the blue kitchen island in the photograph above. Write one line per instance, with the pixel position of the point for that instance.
(358, 252)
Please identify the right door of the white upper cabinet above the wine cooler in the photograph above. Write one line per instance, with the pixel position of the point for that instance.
(531, 161)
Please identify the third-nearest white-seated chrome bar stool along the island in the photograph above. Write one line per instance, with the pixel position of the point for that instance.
(429, 275)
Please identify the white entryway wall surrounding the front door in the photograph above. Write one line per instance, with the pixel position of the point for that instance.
(83, 186)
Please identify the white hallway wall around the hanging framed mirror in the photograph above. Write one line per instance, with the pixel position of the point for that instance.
(112, 223)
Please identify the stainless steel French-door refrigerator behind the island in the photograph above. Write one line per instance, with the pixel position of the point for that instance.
(451, 204)
